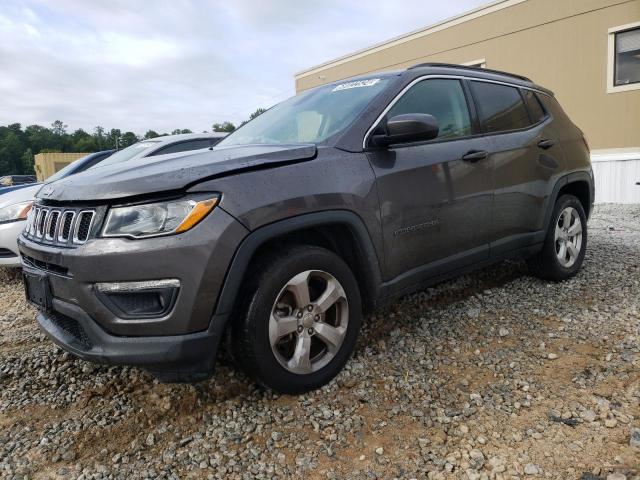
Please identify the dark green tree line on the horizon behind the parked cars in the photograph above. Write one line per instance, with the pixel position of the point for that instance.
(18, 145)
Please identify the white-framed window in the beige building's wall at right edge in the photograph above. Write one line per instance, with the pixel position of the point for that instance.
(624, 58)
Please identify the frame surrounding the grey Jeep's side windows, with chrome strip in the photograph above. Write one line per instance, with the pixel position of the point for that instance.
(473, 110)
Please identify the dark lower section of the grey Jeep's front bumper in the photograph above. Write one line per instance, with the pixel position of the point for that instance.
(184, 357)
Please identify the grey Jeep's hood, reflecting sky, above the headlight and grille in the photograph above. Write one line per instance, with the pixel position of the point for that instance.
(171, 172)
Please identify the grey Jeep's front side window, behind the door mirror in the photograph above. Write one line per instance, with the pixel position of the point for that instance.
(444, 99)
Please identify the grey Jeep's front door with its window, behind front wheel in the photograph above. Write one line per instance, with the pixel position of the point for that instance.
(435, 196)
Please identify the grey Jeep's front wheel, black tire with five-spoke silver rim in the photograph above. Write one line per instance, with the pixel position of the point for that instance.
(283, 344)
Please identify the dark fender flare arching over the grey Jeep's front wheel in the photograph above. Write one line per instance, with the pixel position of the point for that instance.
(367, 257)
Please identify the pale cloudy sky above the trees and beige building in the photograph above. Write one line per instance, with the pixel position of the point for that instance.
(161, 65)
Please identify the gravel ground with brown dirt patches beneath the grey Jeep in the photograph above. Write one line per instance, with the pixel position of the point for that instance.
(492, 375)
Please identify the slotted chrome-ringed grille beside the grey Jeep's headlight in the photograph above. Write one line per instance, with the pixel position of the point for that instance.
(60, 226)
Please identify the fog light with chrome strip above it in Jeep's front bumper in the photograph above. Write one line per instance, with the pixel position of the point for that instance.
(136, 300)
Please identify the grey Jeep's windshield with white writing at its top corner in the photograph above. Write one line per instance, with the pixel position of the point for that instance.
(310, 117)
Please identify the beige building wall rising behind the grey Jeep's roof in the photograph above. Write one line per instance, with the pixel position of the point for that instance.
(560, 44)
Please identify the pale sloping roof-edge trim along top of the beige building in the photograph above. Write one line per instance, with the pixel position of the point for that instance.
(422, 32)
